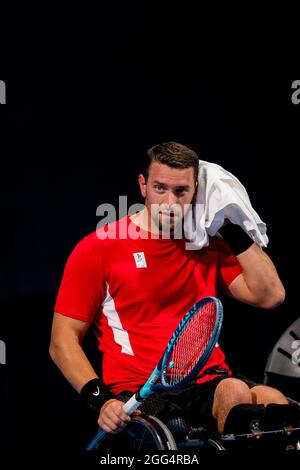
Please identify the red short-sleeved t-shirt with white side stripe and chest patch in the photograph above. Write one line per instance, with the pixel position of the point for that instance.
(137, 291)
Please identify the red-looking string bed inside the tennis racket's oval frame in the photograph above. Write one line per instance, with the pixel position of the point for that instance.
(191, 344)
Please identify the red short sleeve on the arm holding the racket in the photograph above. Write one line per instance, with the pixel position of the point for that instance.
(82, 287)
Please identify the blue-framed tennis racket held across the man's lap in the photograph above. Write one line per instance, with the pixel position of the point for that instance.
(185, 355)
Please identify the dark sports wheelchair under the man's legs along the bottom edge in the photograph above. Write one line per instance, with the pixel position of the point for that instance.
(146, 433)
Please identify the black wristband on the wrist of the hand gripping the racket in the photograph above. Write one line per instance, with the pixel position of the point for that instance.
(94, 394)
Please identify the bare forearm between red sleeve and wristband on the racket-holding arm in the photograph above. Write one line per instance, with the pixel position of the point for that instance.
(73, 363)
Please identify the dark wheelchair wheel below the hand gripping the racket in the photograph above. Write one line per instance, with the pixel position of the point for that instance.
(143, 433)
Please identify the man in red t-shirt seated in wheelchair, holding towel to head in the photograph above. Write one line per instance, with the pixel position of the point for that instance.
(137, 288)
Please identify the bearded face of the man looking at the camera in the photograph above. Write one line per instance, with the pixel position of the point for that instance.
(168, 192)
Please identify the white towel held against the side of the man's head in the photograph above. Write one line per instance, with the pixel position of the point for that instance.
(220, 195)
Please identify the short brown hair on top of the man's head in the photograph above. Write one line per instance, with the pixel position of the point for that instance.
(174, 155)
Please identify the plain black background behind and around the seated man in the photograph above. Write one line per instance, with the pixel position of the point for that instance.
(86, 97)
